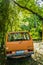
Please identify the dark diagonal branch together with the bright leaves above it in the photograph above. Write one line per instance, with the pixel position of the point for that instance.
(29, 9)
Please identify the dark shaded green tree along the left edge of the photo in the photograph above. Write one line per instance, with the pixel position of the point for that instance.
(4, 8)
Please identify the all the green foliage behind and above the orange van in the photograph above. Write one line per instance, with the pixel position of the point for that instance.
(14, 18)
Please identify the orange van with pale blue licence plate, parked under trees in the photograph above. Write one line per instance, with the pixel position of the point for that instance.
(19, 44)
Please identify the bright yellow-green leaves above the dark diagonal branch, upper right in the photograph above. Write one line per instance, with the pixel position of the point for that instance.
(31, 4)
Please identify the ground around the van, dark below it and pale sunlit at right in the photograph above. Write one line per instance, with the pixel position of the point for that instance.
(35, 59)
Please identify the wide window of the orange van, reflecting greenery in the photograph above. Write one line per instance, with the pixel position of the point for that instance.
(18, 36)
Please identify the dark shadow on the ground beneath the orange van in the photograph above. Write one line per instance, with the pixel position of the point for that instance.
(21, 61)
